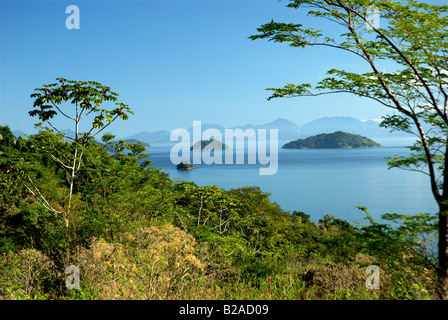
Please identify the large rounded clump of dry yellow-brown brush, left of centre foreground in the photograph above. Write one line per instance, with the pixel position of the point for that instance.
(156, 263)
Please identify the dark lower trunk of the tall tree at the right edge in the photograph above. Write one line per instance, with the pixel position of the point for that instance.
(442, 272)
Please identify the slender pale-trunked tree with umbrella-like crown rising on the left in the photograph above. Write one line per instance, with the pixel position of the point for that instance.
(86, 98)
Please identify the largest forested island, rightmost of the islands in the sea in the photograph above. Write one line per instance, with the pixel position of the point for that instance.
(338, 139)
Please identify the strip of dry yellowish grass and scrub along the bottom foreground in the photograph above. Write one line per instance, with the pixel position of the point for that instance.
(163, 263)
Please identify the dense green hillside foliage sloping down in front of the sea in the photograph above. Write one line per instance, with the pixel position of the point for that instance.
(136, 234)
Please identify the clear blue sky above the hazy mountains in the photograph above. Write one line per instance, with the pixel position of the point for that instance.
(172, 62)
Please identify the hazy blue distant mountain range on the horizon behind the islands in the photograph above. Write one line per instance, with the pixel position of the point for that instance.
(288, 130)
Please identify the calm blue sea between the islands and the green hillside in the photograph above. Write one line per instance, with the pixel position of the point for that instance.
(319, 182)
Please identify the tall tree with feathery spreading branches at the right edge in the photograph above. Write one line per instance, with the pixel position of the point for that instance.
(412, 37)
